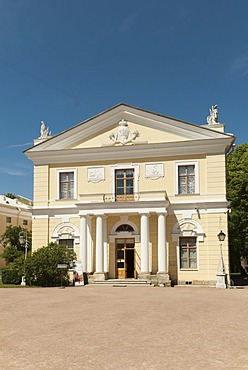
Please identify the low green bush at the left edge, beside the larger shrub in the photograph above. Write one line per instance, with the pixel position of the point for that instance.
(12, 274)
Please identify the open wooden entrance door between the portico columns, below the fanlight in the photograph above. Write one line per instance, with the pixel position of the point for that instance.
(125, 258)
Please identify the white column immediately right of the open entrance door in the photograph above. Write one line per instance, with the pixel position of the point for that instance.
(144, 241)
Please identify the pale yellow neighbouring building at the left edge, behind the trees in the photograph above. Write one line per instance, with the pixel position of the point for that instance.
(14, 212)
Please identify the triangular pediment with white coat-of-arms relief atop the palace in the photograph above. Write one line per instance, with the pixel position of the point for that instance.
(139, 127)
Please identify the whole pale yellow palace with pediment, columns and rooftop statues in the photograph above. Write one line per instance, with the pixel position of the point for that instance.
(136, 194)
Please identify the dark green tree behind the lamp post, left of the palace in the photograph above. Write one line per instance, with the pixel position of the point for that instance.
(11, 244)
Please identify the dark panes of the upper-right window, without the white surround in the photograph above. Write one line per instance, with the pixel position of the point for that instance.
(186, 179)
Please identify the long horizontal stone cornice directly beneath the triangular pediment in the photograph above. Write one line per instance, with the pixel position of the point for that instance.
(131, 152)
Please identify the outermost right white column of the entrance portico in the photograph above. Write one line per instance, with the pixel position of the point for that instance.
(162, 250)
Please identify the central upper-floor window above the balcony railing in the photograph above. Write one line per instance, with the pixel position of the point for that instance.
(124, 184)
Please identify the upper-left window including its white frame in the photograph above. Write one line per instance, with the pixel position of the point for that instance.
(66, 184)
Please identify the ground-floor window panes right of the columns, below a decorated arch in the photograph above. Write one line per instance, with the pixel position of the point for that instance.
(188, 253)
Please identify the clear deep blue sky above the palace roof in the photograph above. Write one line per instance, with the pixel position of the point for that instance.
(63, 61)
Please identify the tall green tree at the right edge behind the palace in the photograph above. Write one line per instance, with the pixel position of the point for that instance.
(237, 194)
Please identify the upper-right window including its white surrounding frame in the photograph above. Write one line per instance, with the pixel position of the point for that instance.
(187, 181)
